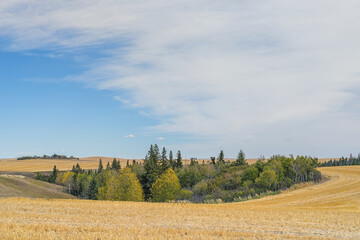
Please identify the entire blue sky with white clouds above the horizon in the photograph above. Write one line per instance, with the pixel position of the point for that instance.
(110, 77)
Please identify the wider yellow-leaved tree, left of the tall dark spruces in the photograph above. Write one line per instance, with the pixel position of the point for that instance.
(123, 186)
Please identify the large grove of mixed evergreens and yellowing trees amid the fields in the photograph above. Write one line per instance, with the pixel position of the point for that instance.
(163, 177)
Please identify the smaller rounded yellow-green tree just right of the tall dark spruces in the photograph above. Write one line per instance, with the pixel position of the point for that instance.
(166, 188)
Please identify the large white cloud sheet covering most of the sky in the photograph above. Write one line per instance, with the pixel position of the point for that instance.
(234, 71)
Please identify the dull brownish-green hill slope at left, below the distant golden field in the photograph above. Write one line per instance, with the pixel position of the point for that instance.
(21, 186)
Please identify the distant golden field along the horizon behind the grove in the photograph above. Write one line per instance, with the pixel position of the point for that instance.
(38, 165)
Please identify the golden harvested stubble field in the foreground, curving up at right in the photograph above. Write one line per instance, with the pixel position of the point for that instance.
(330, 210)
